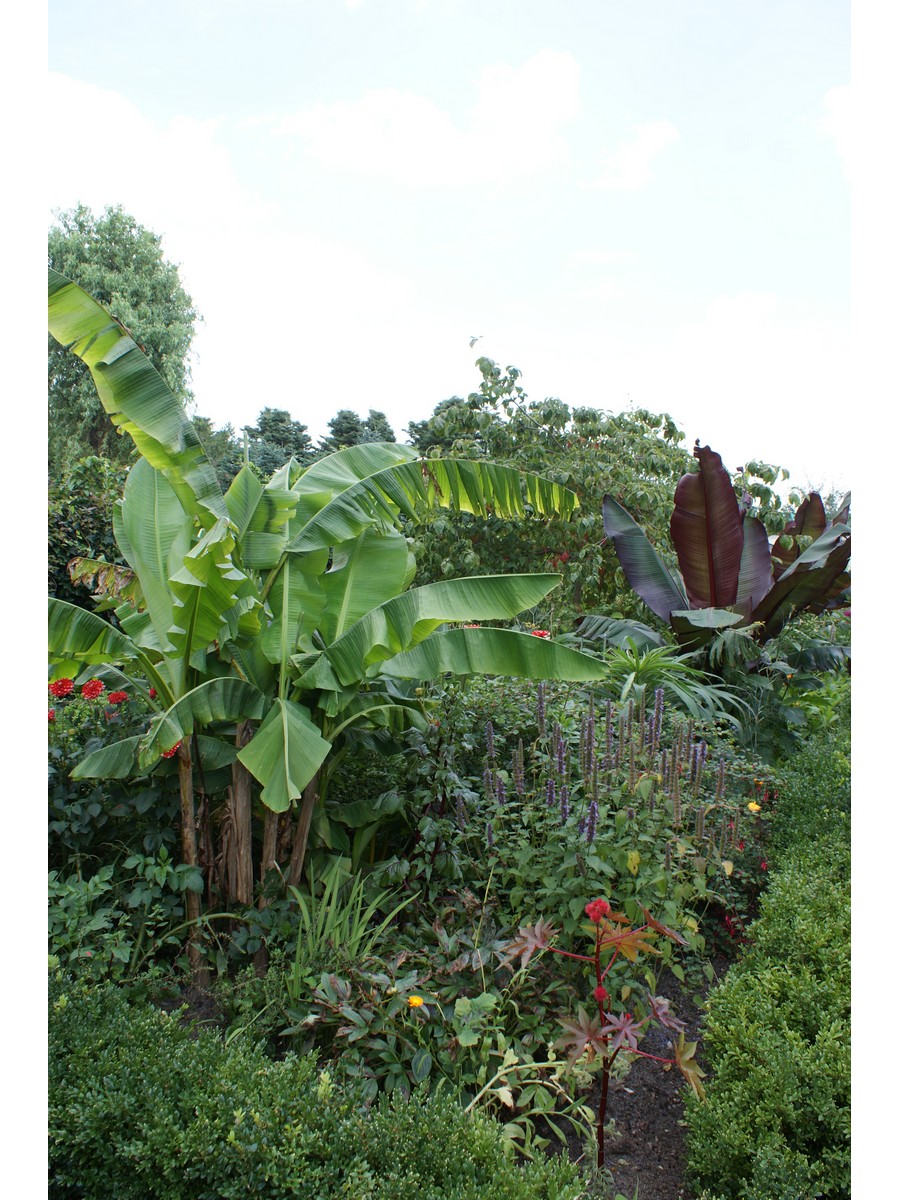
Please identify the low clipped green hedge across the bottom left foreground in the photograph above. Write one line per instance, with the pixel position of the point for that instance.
(142, 1108)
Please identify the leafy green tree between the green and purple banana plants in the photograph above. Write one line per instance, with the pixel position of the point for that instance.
(635, 455)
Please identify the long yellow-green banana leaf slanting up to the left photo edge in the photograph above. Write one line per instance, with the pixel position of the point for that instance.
(135, 395)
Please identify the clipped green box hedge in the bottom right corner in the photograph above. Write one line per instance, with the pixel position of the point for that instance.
(777, 1119)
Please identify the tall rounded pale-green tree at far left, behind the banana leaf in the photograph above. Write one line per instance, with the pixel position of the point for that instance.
(121, 263)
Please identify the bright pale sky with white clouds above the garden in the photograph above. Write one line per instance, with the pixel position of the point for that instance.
(638, 205)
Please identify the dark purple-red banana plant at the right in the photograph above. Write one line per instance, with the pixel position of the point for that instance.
(729, 575)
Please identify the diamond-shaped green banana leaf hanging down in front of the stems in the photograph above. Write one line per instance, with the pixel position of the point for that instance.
(285, 754)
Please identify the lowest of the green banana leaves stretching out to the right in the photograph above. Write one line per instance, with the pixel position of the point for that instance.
(500, 652)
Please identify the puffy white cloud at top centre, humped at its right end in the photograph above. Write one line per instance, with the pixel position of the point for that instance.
(407, 139)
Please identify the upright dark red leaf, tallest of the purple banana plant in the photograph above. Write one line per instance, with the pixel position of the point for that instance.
(707, 532)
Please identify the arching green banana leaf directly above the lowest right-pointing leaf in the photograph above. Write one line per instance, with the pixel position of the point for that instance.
(406, 621)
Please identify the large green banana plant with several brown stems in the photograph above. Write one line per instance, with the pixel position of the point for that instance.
(277, 615)
